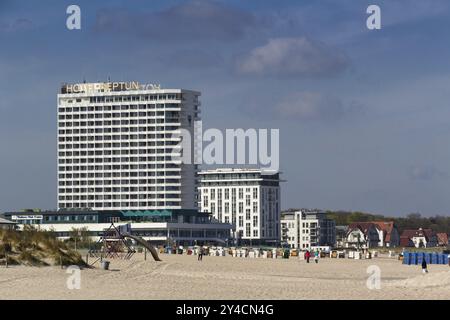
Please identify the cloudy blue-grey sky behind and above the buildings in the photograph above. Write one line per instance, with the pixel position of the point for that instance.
(364, 115)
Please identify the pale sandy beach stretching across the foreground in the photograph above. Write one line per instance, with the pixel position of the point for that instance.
(183, 277)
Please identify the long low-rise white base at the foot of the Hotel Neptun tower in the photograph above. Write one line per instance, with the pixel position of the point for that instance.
(179, 226)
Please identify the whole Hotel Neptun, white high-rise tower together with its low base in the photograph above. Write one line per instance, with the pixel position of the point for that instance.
(119, 161)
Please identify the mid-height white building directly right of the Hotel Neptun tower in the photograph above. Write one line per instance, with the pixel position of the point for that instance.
(246, 198)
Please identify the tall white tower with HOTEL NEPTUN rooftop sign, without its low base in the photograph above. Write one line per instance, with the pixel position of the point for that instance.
(115, 146)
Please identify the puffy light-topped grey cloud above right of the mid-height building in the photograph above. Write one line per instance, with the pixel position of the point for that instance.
(292, 57)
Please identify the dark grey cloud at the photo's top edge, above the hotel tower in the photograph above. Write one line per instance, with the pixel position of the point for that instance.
(190, 21)
